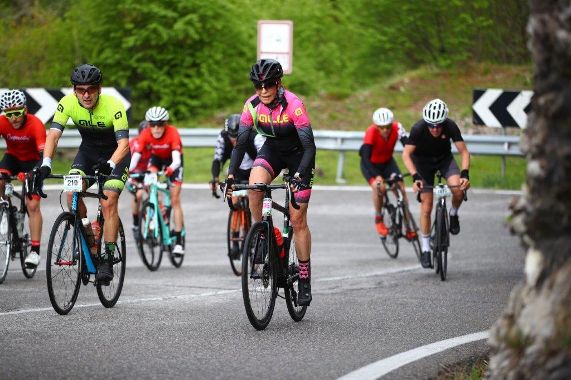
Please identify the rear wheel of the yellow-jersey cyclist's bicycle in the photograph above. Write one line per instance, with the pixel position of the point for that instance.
(108, 295)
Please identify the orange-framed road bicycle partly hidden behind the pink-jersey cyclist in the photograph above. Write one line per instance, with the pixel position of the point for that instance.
(240, 221)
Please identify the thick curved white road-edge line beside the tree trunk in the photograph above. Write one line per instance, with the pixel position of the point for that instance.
(382, 367)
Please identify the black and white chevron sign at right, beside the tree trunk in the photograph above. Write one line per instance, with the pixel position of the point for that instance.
(497, 108)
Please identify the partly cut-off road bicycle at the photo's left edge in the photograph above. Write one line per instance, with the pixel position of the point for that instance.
(15, 240)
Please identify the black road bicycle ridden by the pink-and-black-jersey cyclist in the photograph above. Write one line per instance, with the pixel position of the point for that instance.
(267, 265)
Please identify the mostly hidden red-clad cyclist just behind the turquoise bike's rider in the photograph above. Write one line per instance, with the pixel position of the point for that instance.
(135, 185)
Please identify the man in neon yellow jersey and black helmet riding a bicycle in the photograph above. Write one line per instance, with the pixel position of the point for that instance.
(102, 122)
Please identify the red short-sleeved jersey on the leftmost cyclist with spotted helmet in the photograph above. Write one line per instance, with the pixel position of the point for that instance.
(26, 142)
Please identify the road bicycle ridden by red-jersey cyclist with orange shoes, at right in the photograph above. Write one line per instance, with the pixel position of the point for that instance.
(397, 217)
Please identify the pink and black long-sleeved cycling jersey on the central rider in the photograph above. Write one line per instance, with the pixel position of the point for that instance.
(287, 128)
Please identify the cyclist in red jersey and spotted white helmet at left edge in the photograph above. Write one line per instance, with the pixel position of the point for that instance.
(25, 137)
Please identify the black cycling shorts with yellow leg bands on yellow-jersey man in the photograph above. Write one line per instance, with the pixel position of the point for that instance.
(86, 158)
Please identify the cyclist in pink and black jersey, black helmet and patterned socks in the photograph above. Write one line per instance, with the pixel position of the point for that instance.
(279, 115)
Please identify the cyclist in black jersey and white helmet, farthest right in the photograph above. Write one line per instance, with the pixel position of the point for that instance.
(427, 151)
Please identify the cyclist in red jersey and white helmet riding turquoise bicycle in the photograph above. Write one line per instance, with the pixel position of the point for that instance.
(166, 154)
